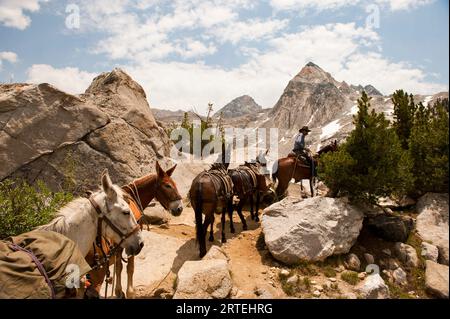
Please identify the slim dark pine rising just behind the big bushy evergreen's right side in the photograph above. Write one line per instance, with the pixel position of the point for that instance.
(404, 110)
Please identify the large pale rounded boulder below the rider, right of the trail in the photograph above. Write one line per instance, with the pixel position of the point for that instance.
(312, 229)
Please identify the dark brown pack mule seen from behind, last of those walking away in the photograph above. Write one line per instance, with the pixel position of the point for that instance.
(211, 192)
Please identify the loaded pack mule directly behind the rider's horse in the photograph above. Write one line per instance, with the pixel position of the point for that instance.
(248, 181)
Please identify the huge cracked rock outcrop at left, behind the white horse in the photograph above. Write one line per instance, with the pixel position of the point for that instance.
(50, 135)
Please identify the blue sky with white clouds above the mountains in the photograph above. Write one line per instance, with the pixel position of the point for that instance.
(187, 53)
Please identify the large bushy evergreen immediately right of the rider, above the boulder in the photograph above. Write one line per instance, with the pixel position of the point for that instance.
(371, 163)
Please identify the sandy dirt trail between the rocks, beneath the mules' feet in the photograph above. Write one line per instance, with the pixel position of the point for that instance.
(252, 267)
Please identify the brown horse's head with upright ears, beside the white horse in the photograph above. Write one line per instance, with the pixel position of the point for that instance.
(167, 192)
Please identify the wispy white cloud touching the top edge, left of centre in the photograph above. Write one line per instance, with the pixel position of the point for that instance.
(154, 30)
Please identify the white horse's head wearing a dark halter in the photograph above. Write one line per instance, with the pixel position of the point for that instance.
(121, 226)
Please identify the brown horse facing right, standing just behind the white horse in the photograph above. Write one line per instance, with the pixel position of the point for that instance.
(141, 192)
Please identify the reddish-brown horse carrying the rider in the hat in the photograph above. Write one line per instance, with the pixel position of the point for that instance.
(292, 167)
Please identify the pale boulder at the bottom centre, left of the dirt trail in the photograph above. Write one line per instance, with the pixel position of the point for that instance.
(208, 278)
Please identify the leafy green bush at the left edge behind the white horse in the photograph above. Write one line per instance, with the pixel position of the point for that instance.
(24, 207)
